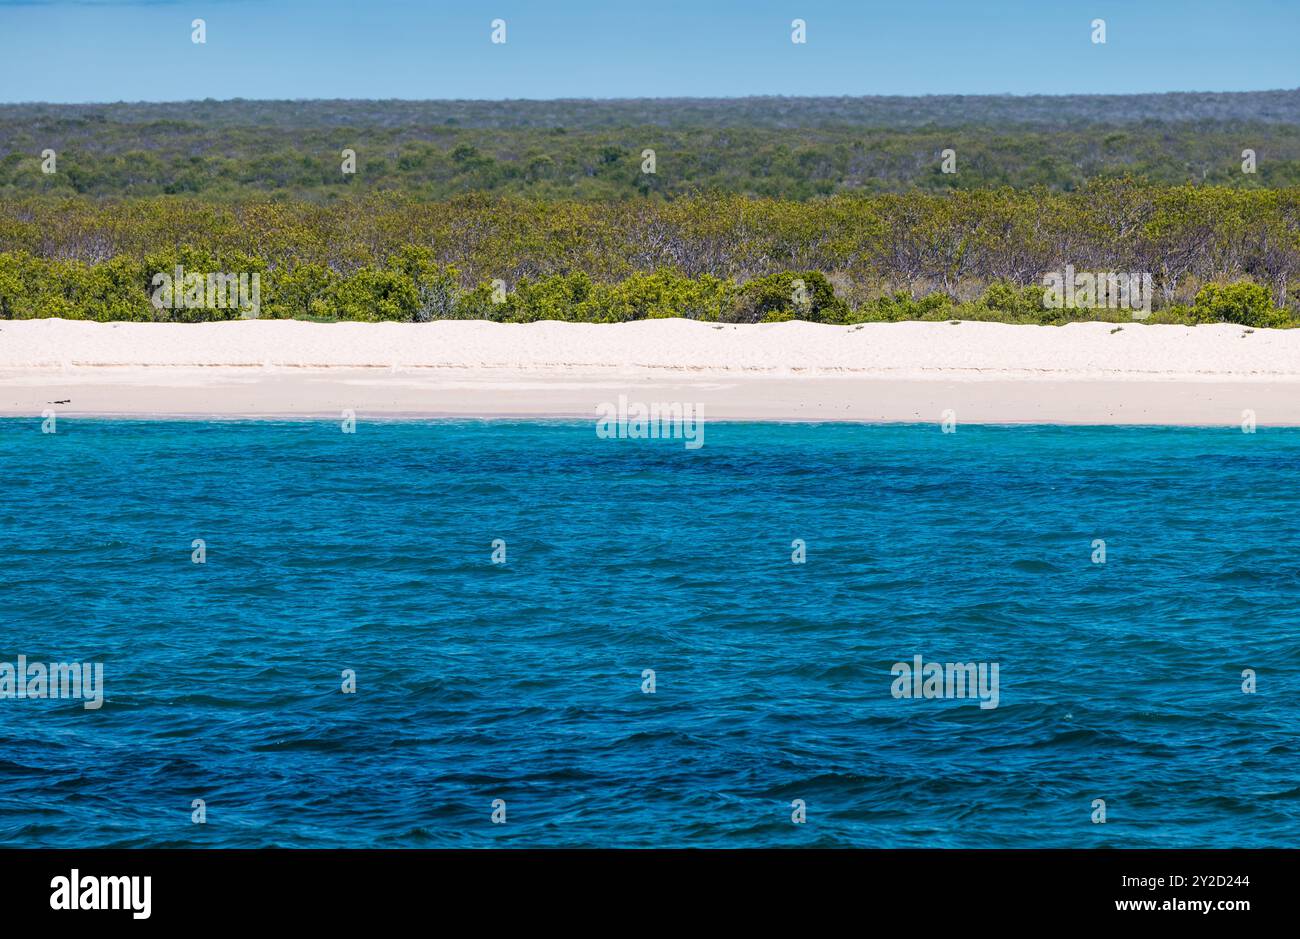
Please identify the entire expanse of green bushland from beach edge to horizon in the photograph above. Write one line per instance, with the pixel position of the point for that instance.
(829, 210)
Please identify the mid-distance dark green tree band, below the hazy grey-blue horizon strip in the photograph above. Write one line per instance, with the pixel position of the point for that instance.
(112, 158)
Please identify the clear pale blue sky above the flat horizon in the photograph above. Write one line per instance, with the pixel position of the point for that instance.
(141, 50)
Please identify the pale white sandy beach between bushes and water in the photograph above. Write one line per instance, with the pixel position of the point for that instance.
(985, 373)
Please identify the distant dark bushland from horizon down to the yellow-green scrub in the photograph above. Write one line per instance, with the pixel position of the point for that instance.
(787, 149)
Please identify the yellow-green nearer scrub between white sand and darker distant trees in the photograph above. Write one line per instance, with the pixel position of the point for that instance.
(916, 256)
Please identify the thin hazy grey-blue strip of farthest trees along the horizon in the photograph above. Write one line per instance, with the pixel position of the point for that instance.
(761, 111)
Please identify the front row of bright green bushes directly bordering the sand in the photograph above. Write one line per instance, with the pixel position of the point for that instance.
(413, 288)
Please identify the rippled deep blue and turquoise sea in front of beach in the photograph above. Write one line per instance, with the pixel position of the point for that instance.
(523, 681)
